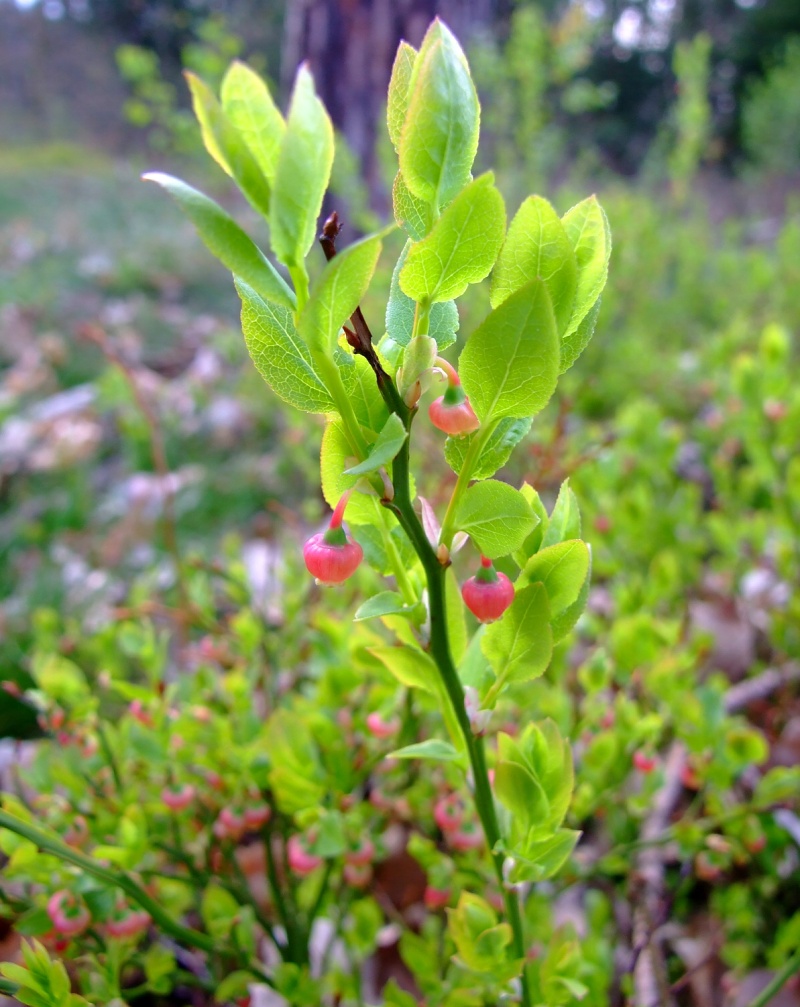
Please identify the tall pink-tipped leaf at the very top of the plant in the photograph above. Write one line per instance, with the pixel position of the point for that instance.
(440, 136)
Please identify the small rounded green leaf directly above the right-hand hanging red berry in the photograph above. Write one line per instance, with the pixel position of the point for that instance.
(496, 516)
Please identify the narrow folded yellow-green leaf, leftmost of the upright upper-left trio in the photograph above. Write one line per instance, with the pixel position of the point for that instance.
(227, 148)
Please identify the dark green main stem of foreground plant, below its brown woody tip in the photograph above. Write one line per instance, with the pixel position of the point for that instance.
(441, 652)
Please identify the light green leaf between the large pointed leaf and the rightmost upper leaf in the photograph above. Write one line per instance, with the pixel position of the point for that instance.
(538, 246)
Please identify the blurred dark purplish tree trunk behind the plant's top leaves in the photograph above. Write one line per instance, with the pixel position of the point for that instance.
(351, 46)
